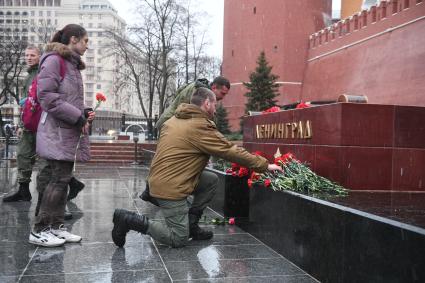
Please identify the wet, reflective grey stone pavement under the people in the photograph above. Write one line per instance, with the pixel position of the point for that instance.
(231, 256)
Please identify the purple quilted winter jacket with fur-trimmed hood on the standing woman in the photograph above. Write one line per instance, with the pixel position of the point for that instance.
(62, 102)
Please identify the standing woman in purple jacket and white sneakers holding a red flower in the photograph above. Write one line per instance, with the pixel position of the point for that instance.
(63, 121)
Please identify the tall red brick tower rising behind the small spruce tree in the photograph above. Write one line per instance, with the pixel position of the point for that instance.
(279, 27)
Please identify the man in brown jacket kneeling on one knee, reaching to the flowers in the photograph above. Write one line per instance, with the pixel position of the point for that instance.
(187, 141)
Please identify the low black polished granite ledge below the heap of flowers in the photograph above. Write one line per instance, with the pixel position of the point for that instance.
(336, 243)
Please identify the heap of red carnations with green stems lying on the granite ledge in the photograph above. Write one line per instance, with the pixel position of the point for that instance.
(296, 176)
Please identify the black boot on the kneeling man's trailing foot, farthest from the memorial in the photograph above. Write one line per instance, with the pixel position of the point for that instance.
(125, 221)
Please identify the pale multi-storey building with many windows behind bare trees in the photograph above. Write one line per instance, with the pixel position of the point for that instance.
(37, 20)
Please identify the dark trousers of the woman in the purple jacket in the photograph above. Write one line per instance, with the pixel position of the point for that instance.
(53, 203)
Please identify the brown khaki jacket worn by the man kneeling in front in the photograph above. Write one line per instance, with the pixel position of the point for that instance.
(186, 143)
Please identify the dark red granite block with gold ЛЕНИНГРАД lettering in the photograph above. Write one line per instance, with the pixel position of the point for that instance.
(361, 146)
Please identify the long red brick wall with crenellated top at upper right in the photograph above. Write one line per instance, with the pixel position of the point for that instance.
(379, 53)
